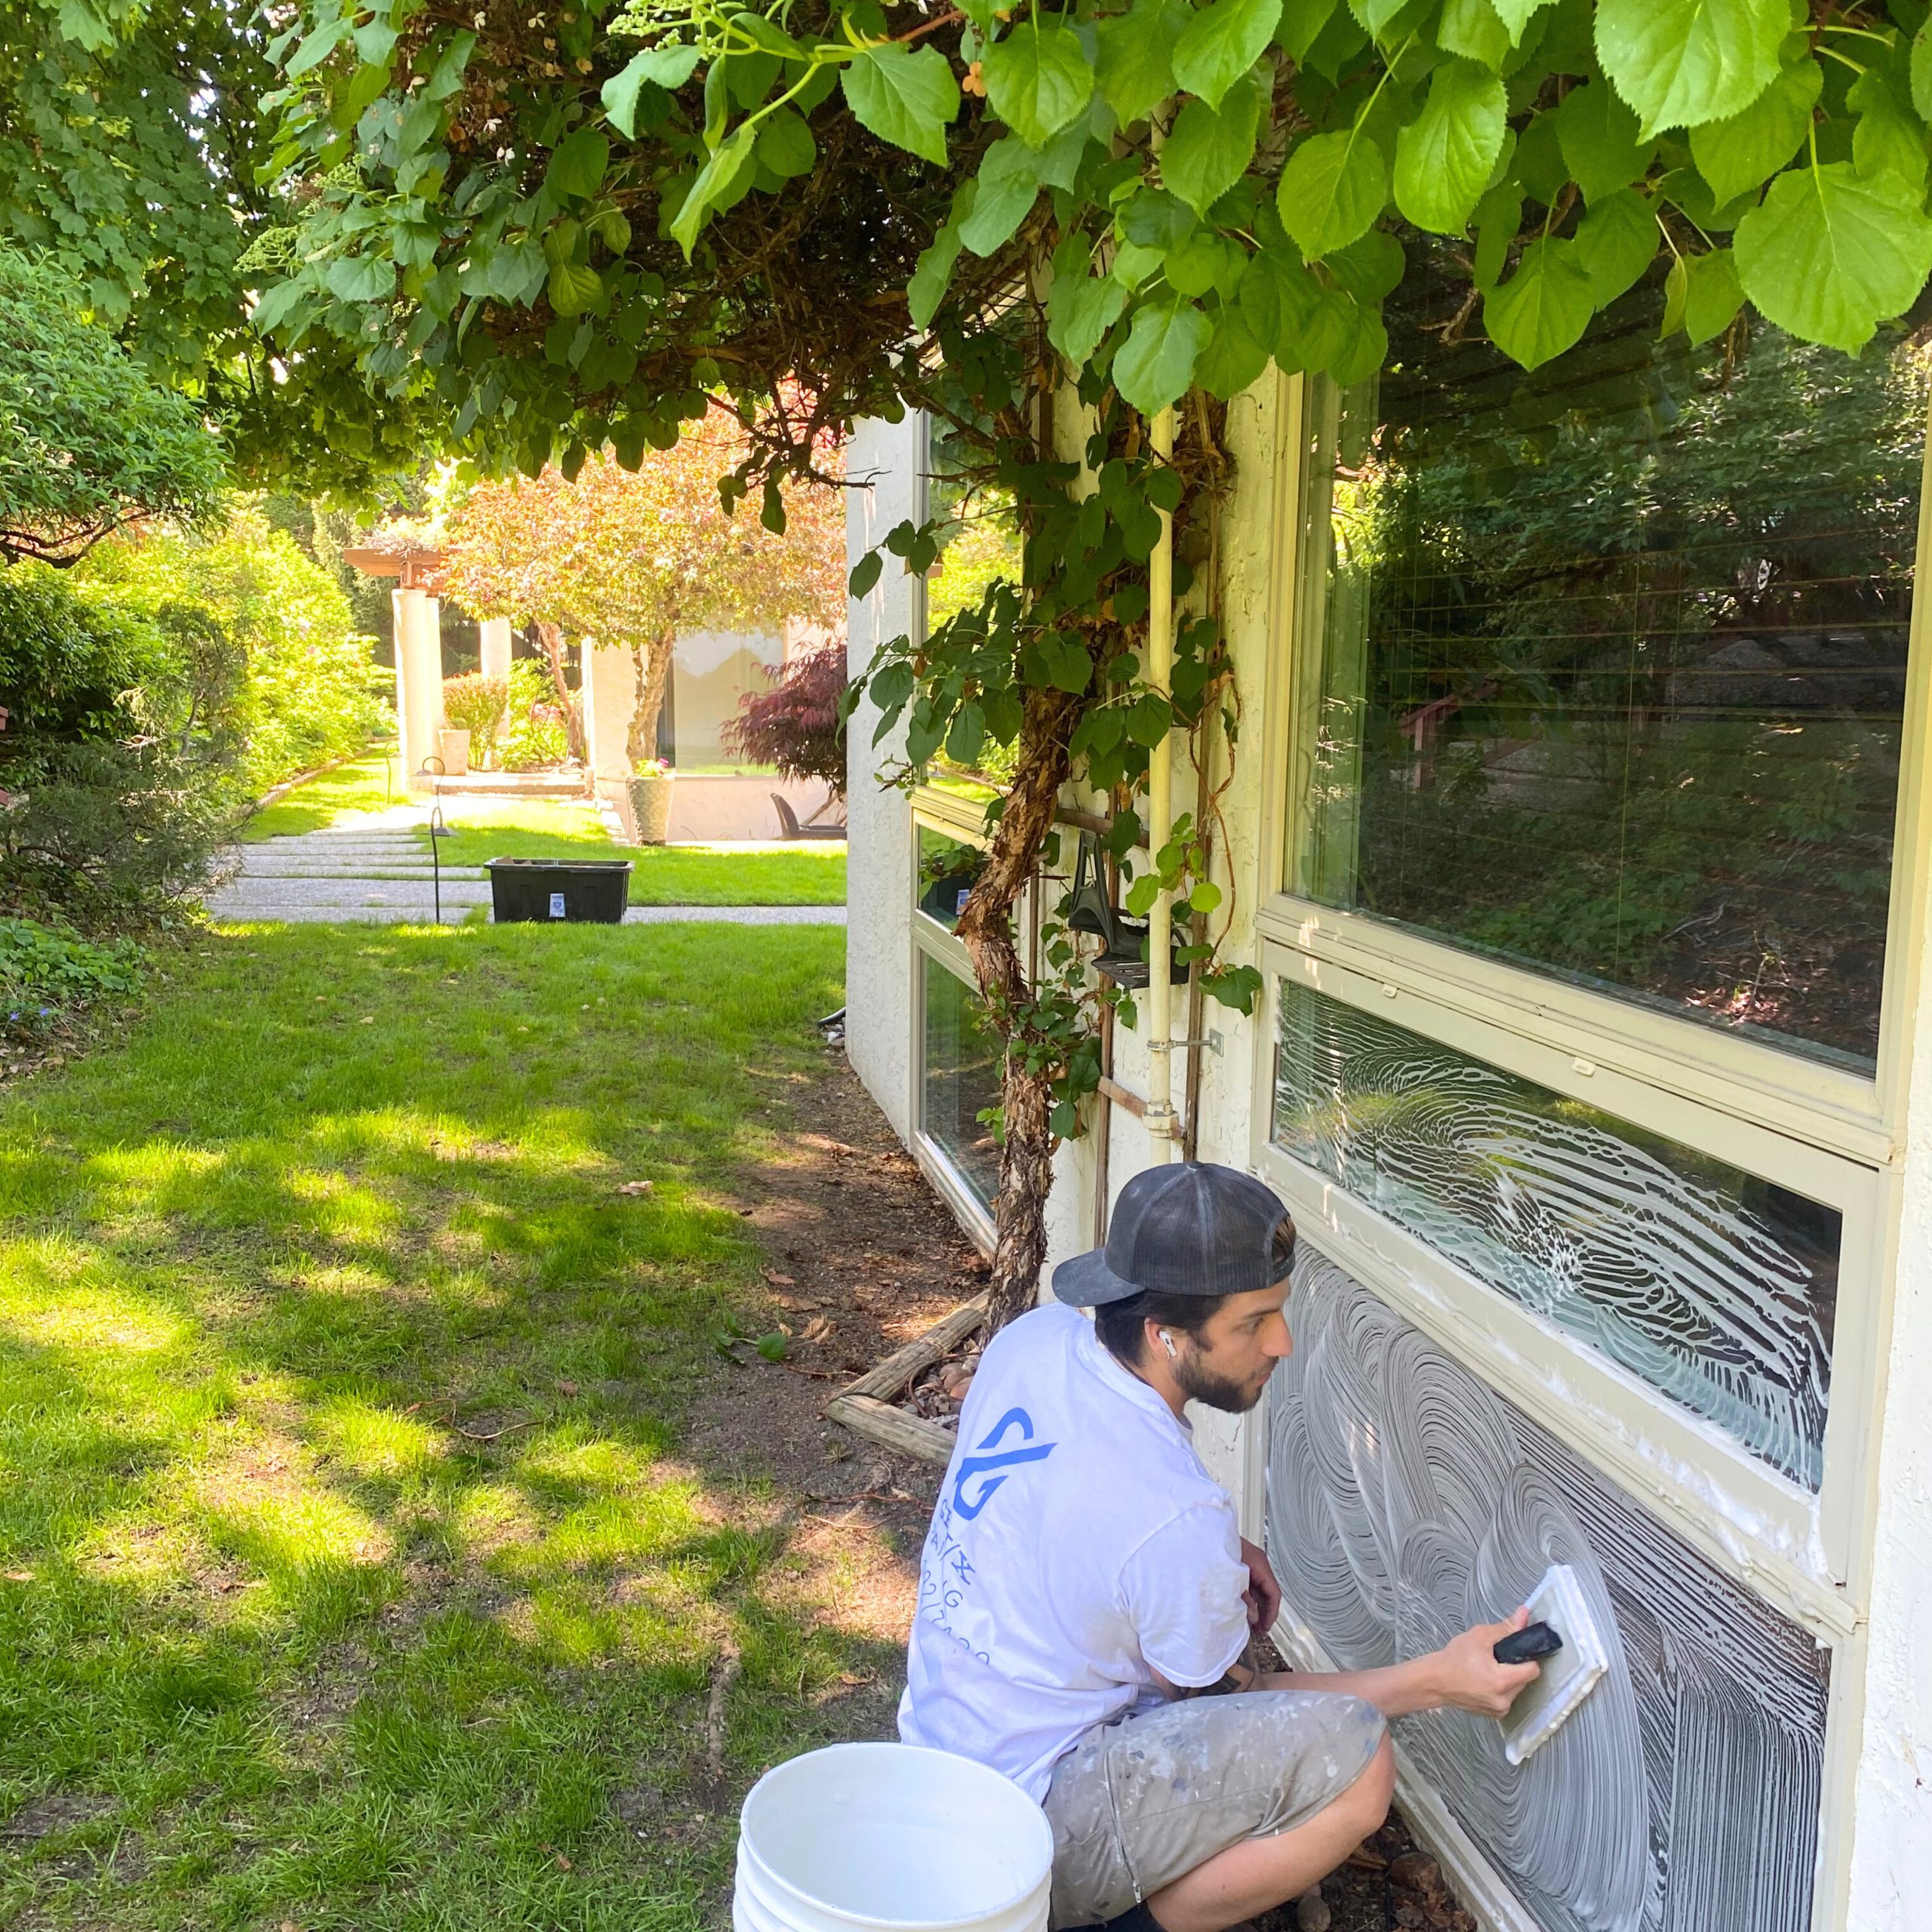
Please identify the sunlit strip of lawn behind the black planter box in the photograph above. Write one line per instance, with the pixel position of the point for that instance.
(809, 874)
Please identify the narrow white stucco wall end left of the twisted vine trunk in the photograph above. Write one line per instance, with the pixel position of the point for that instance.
(892, 461)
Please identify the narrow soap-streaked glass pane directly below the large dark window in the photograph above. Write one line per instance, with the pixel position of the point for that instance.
(1709, 1284)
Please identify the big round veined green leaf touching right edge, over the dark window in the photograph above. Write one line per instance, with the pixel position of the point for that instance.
(1829, 254)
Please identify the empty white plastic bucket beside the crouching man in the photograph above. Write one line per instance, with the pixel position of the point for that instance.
(892, 1836)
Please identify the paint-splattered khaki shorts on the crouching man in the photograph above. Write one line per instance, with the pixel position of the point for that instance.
(1145, 1800)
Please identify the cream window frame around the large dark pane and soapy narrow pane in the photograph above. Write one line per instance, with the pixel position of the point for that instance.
(1823, 1129)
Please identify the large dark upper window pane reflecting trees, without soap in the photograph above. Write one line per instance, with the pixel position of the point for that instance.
(1614, 658)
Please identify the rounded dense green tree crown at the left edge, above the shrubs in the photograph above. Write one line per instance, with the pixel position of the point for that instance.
(88, 441)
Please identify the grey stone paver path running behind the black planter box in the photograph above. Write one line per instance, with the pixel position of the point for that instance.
(378, 870)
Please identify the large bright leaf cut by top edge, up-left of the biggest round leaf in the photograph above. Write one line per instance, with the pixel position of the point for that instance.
(1686, 63)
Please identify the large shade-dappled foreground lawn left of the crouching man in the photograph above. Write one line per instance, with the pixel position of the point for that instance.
(285, 1641)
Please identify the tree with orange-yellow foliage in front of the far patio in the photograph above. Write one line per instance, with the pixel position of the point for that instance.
(639, 555)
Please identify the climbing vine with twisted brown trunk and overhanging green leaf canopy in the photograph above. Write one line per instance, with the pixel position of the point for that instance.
(569, 223)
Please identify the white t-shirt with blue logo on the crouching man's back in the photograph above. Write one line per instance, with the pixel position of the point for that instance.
(1077, 1548)
